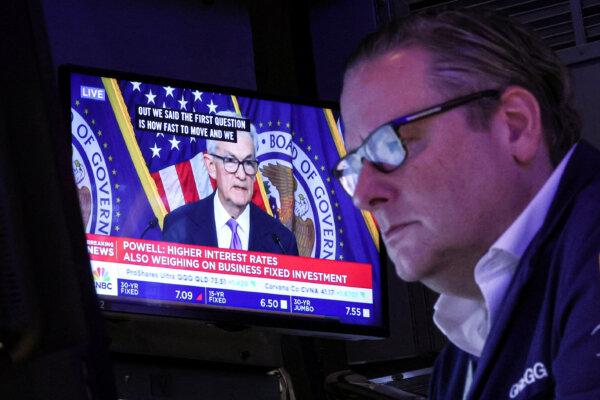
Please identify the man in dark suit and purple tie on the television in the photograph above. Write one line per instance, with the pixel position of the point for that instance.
(227, 218)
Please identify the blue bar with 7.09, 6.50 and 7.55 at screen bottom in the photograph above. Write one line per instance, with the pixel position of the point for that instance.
(197, 295)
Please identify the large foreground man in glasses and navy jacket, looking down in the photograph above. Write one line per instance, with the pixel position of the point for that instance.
(464, 144)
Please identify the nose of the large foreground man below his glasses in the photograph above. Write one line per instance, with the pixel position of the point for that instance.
(372, 190)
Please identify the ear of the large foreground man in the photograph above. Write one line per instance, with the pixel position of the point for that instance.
(521, 113)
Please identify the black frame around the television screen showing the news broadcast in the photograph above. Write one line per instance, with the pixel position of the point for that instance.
(307, 326)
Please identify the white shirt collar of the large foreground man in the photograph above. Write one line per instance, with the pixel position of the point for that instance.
(466, 322)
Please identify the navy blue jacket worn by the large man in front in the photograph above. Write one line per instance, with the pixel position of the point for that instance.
(545, 342)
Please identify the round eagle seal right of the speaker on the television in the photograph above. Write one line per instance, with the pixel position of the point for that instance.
(297, 194)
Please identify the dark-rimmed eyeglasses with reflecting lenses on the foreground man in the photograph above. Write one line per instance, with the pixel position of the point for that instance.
(384, 147)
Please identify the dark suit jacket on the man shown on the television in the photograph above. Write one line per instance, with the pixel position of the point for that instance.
(194, 223)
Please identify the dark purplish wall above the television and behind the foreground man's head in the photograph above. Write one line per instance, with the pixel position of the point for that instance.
(285, 47)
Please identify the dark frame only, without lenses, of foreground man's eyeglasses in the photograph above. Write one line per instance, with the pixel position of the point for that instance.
(396, 123)
